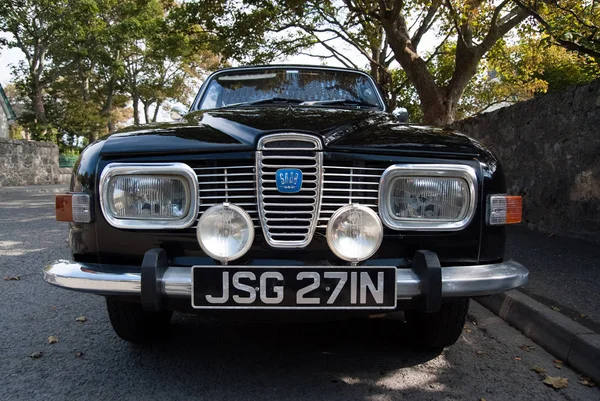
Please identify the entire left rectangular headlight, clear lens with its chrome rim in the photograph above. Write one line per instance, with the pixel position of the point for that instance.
(150, 196)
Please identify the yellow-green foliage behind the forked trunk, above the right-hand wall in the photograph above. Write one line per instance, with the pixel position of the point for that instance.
(512, 71)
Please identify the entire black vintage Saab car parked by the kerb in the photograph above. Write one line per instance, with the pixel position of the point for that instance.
(288, 191)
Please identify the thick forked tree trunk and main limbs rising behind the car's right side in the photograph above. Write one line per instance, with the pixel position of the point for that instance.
(476, 24)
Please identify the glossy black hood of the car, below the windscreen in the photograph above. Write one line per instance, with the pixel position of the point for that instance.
(238, 129)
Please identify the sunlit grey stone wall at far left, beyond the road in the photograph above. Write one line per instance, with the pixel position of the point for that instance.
(28, 163)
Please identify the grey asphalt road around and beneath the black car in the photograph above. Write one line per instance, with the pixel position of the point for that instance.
(203, 359)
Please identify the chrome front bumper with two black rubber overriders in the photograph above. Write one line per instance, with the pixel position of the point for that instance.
(155, 280)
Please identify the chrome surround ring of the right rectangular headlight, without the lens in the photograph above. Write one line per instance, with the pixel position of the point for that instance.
(395, 171)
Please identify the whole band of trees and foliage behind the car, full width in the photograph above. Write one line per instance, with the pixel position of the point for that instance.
(93, 65)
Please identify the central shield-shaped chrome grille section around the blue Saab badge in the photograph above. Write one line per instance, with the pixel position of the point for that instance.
(289, 219)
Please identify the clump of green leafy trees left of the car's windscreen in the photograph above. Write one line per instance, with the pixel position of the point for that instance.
(87, 59)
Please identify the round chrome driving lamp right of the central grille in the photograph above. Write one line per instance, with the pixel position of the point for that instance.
(354, 233)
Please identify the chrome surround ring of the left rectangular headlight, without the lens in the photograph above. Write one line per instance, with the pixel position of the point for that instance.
(178, 170)
